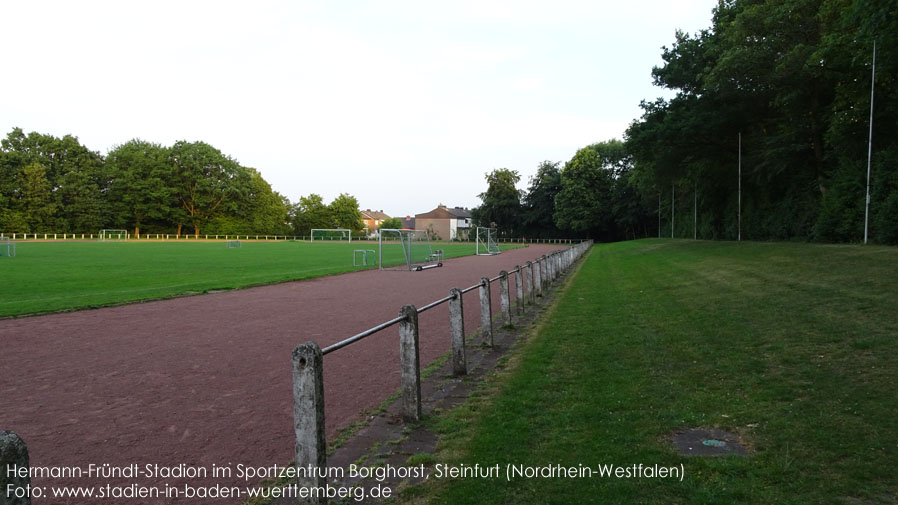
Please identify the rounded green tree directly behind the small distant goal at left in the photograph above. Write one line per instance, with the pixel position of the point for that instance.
(142, 182)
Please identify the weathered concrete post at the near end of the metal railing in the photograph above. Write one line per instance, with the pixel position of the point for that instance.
(308, 419)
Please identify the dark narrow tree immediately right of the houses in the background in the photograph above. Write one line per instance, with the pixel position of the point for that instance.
(501, 202)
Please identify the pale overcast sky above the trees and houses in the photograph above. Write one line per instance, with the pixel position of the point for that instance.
(403, 105)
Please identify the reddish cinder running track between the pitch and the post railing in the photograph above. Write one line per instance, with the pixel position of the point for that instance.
(206, 380)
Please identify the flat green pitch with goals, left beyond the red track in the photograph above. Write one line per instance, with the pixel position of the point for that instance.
(51, 276)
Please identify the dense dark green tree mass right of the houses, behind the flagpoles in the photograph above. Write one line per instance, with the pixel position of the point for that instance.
(778, 88)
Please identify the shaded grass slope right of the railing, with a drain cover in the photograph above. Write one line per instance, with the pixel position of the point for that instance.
(792, 346)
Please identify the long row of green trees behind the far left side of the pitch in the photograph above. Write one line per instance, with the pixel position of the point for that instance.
(50, 184)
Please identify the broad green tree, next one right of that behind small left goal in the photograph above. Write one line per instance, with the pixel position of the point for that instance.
(209, 184)
